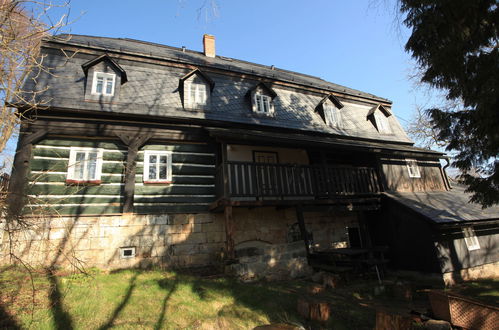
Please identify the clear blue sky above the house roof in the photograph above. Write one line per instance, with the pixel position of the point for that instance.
(352, 43)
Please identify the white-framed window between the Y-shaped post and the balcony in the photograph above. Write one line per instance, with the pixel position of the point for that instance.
(157, 166)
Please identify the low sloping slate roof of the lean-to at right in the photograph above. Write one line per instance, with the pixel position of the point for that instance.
(444, 207)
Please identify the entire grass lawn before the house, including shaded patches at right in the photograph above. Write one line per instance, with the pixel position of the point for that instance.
(155, 299)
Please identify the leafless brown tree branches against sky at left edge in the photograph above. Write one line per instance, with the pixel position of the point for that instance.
(23, 24)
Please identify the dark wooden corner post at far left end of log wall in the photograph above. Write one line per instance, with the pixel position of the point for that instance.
(20, 169)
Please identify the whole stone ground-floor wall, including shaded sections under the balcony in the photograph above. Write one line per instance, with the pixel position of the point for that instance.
(175, 240)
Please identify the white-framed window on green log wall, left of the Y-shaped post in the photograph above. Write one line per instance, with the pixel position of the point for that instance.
(85, 165)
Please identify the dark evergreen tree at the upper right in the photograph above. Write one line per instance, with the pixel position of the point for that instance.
(456, 44)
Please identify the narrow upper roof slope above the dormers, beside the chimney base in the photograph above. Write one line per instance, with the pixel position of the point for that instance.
(198, 58)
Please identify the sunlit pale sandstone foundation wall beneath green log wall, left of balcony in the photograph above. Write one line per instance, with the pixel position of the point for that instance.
(181, 240)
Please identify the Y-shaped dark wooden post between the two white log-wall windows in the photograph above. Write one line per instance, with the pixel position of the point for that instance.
(134, 144)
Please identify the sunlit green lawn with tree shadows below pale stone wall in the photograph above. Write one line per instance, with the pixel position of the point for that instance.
(140, 299)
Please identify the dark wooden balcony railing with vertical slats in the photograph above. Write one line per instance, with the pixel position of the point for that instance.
(262, 180)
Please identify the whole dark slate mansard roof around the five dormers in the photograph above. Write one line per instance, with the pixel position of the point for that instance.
(153, 90)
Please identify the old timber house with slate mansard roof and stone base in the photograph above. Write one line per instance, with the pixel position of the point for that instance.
(142, 154)
